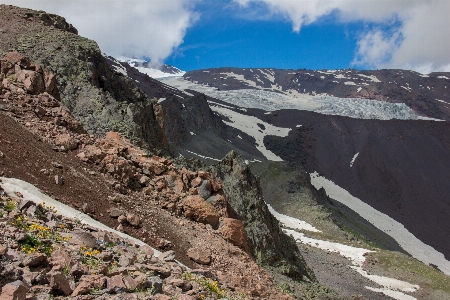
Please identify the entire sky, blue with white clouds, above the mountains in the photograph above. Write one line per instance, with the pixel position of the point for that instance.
(284, 34)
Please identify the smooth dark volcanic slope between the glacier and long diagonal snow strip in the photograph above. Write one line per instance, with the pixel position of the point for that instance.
(402, 170)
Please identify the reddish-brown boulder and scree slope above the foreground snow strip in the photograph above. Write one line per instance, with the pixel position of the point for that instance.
(108, 177)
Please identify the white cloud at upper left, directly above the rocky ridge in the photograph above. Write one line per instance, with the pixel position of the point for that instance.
(134, 28)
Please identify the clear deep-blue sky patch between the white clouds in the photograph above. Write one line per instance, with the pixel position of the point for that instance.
(223, 38)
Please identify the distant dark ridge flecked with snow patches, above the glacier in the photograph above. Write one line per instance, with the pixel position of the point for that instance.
(428, 95)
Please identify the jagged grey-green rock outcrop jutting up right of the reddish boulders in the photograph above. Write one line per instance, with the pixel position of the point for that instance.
(268, 244)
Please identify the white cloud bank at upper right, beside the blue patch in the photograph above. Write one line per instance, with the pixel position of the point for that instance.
(418, 37)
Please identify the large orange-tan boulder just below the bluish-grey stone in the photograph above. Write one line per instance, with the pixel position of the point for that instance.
(197, 209)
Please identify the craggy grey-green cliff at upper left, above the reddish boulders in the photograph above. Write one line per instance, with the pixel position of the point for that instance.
(100, 98)
